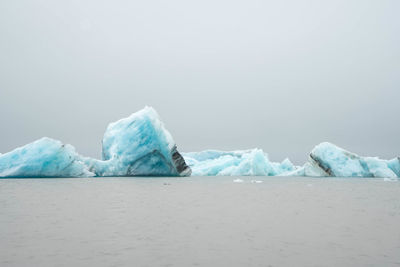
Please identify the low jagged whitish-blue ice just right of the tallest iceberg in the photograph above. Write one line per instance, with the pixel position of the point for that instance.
(252, 162)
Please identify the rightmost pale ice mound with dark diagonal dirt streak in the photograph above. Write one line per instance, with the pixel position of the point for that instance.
(326, 159)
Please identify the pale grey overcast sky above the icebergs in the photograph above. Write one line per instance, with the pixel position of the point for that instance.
(279, 75)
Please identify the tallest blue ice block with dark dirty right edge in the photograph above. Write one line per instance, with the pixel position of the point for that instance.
(139, 146)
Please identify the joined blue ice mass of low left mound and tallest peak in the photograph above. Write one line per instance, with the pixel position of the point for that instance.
(135, 146)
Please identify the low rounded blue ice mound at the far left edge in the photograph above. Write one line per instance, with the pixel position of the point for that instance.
(43, 158)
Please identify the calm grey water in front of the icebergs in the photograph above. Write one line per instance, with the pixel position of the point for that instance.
(197, 221)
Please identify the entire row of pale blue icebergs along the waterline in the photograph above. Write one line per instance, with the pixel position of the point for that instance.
(139, 145)
